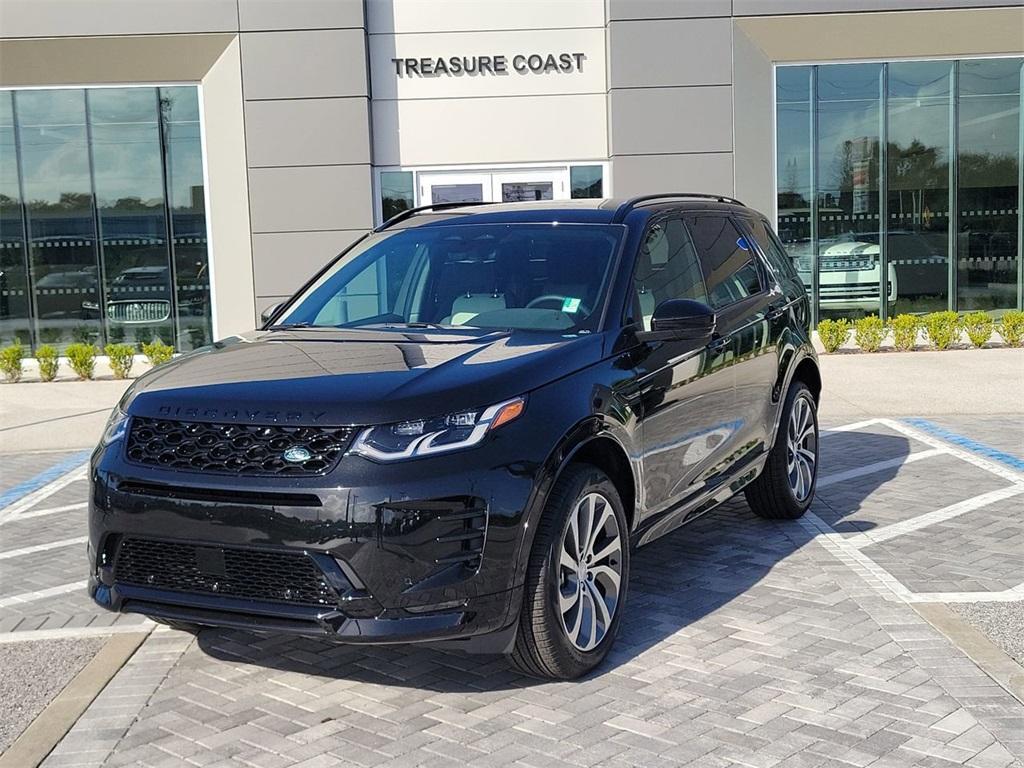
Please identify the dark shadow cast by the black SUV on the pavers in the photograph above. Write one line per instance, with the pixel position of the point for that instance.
(676, 581)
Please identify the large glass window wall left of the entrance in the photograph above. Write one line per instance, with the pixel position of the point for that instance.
(103, 231)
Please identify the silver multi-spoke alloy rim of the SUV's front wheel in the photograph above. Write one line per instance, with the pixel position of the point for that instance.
(589, 572)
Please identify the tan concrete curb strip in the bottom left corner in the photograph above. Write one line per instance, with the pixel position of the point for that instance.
(46, 732)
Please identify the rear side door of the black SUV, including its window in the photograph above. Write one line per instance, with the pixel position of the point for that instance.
(748, 304)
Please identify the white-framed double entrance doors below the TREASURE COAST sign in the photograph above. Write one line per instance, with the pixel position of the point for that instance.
(496, 187)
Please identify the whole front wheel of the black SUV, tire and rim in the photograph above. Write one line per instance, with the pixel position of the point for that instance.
(577, 579)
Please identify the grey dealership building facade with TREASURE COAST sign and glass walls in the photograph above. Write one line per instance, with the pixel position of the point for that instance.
(174, 167)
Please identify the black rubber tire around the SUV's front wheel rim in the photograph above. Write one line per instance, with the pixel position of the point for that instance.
(543, 648)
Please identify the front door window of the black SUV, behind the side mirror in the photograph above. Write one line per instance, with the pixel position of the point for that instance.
(667, 269)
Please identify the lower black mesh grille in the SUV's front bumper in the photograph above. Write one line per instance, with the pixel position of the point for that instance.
(273, 577)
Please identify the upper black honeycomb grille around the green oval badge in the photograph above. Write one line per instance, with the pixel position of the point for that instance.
(235, 449)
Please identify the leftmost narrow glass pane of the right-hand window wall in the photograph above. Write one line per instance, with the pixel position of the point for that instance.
(793, 93)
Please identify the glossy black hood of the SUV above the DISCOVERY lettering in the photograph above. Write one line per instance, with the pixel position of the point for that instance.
(356, 377)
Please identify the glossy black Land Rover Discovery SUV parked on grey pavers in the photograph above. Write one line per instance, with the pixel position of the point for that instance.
(461, 428)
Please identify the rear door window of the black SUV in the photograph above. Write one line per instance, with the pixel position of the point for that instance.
(730, 270)
